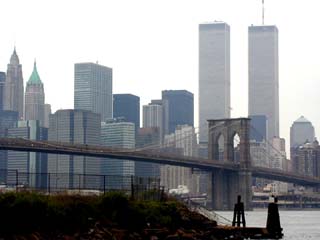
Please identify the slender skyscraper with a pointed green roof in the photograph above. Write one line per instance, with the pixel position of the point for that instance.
(34, 98)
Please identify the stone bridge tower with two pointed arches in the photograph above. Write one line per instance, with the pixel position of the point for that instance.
(227, 184)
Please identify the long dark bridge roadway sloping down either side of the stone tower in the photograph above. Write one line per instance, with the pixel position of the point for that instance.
(151, 156)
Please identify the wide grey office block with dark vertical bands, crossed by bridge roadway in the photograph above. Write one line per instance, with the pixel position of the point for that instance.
(76, 127)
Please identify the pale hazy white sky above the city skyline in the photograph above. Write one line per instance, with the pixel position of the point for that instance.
(153, 46)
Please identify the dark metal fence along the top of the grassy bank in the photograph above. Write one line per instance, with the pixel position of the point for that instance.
(86, 184)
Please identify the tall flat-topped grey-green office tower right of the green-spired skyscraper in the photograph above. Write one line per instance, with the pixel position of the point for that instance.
(93, 89)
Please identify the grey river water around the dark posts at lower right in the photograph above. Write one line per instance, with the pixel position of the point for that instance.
(297, 225)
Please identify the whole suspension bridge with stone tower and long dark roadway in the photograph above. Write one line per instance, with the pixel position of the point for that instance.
(229, 178)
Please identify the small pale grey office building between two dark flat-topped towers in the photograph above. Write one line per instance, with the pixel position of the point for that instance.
(153, 117)
